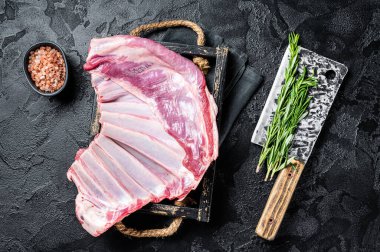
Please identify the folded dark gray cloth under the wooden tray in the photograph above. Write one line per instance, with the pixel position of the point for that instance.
(241, 80)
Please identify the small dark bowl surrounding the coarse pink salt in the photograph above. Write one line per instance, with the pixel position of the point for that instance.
(28, 76)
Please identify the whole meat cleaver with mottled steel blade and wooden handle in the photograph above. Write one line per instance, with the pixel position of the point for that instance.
(330, 75)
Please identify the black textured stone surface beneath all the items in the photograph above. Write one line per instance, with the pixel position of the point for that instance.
(336, 205)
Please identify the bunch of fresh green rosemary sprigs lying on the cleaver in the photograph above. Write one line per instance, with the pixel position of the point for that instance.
(292, 105)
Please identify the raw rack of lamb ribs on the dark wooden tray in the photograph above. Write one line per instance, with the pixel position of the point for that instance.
(158, 131)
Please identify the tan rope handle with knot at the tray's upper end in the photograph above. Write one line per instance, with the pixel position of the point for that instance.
(202, 63)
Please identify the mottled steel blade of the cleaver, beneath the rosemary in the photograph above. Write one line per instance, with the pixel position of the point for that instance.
(330, 76)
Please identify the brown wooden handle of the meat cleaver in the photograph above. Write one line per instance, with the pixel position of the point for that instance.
(278, 201)
